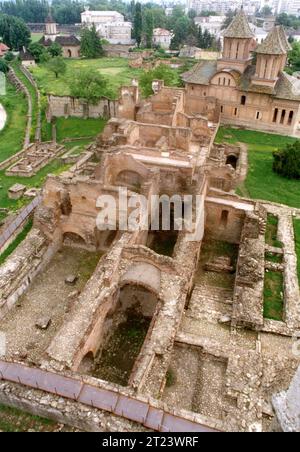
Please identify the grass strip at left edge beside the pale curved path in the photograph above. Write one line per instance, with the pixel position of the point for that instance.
(12, 136)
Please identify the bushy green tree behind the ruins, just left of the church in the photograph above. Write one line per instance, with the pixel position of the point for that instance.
(162, 72)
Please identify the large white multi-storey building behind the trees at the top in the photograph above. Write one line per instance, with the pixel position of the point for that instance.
(110, 25)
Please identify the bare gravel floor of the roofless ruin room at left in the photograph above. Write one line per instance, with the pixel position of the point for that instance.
(47, 297)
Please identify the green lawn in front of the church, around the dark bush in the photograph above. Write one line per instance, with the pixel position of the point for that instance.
(262, 182)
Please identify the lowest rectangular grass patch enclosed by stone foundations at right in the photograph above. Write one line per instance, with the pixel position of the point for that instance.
(273, 296)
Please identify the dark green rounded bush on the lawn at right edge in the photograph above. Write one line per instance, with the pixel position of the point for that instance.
(287, 161)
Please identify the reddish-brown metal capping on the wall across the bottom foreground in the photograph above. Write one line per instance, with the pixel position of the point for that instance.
(108, 400)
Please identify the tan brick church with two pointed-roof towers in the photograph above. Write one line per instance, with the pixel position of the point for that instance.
(248, 84)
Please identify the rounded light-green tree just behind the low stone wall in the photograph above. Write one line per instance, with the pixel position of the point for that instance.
(90, 86)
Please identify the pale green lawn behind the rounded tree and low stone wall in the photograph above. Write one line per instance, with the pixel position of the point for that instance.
(116, 70)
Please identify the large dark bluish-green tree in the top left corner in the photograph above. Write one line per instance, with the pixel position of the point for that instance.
(14, 32)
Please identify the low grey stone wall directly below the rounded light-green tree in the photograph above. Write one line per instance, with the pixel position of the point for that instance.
(66, 106)
